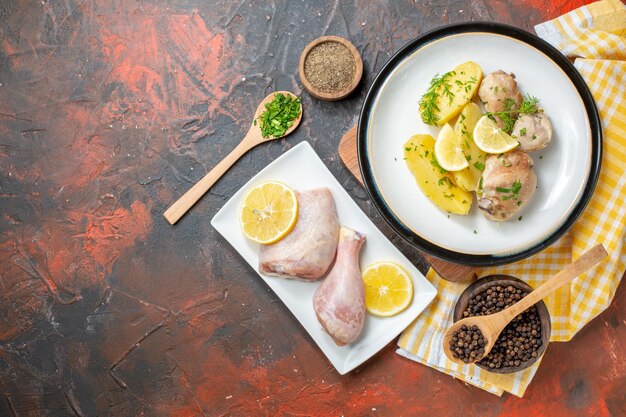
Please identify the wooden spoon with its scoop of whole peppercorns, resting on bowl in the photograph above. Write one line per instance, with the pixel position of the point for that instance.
(484, 330)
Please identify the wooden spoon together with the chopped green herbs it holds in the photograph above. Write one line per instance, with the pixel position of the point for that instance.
(277, 115)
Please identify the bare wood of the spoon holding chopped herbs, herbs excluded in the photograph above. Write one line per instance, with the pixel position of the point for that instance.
(252, 139)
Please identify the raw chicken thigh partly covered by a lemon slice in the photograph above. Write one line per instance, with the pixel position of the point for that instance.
(309, 249)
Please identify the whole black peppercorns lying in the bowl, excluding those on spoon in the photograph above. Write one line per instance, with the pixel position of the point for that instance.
(520, 340)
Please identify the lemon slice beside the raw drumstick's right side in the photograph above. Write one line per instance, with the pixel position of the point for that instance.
(388, 288)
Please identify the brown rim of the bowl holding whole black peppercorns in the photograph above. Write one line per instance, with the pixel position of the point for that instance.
(506, 280)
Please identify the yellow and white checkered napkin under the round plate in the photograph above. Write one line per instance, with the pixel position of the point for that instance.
(595, 36)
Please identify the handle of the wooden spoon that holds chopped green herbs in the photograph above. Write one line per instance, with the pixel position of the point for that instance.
(184, 203)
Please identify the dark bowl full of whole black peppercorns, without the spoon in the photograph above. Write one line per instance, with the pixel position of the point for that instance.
(523, 340)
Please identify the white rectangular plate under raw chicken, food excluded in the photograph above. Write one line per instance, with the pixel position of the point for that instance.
(302, 169)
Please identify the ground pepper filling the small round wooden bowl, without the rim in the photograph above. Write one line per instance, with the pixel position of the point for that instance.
(330, 67)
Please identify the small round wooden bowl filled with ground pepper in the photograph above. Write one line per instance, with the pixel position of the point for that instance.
(330, 68)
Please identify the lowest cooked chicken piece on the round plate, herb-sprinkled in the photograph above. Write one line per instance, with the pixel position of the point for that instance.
(508, 184)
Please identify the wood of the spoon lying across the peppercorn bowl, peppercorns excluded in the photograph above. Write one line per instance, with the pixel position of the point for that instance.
(492, 325)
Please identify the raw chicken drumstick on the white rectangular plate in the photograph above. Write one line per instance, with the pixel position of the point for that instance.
(339, 302)
